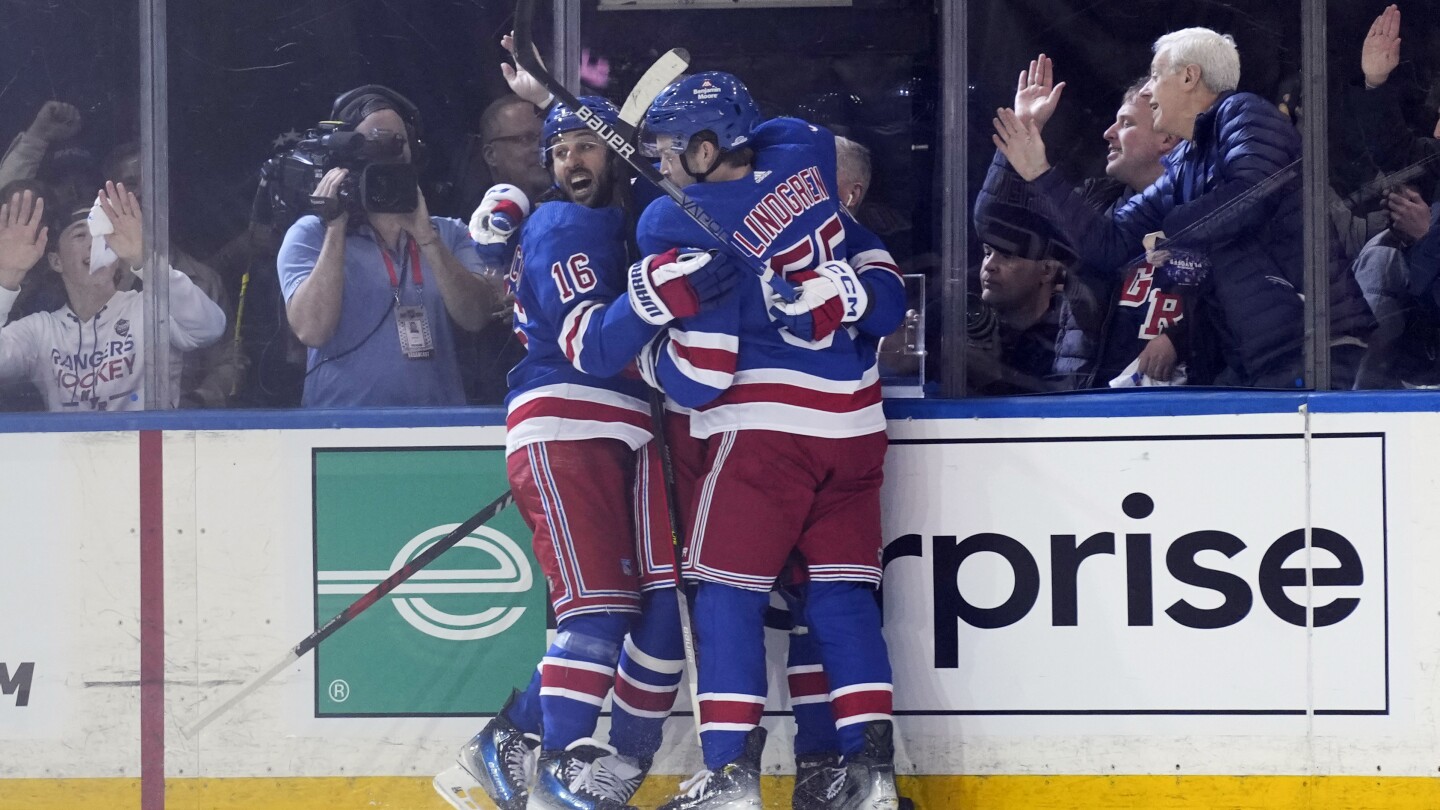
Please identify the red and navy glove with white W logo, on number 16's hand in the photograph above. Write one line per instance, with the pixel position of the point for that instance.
(676, 283)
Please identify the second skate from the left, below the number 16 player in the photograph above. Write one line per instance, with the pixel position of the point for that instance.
(581, 779)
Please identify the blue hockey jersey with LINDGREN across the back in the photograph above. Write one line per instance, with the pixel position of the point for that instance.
(732, 362)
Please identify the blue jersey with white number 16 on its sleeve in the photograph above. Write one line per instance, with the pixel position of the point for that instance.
(568, 272)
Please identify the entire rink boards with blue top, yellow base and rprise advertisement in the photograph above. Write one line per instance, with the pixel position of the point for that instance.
(1085, 609)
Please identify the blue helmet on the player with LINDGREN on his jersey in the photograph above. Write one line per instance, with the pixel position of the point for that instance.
(714, 102)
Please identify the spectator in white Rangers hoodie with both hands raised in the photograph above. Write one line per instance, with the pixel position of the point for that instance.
(90, 354)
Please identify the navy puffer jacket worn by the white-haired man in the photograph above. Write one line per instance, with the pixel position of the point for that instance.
(1207, 202)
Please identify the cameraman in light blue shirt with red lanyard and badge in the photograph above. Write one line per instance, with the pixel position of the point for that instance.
(369, 293)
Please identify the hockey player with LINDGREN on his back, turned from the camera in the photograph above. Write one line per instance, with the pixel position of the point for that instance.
(788, 401)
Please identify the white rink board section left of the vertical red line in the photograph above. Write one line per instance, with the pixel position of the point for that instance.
(70, 602)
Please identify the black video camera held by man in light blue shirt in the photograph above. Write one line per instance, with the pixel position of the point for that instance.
(379, 181)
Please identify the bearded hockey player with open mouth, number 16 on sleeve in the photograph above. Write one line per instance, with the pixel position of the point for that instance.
(574, 429)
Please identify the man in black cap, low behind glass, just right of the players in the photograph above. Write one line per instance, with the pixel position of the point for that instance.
(1017, 318)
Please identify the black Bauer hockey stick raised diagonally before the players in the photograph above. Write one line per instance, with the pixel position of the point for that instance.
(621, 143)
